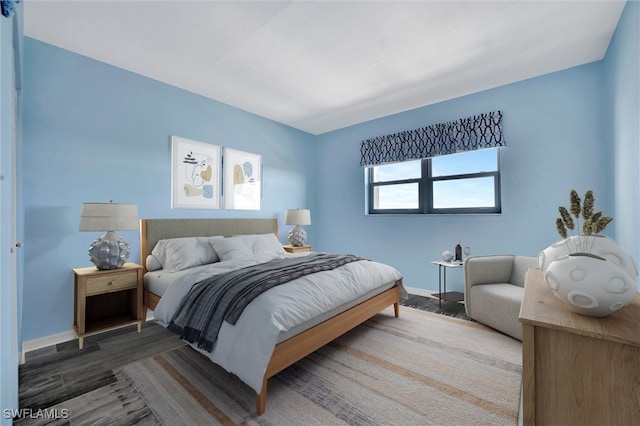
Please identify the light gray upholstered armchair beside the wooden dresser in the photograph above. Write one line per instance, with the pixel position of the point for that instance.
(493, 289)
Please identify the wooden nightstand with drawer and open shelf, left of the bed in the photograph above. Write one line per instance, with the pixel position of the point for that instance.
(107, 299)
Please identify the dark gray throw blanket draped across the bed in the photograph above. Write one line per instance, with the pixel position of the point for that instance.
(224, 296)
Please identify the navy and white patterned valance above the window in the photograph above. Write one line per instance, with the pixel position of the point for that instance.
(465, 134)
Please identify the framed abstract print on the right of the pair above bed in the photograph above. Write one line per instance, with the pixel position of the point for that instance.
(242, 180)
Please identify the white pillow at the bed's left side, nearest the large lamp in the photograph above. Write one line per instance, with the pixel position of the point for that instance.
(176, 254)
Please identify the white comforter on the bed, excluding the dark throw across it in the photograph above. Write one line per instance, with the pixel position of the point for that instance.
(245, 348)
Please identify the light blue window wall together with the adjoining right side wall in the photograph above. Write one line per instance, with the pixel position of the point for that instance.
(577, 128)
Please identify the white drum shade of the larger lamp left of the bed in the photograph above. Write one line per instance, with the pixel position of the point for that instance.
(109, 217)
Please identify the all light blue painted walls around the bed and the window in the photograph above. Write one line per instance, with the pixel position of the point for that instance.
(85, 120)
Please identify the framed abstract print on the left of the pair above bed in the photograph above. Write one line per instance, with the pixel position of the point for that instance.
(195, 174)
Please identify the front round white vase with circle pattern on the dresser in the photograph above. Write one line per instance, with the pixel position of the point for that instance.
(590, 286)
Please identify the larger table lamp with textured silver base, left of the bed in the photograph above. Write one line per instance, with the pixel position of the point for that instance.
(110, 251)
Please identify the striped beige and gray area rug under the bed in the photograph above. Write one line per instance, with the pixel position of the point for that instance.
(419, 369)
